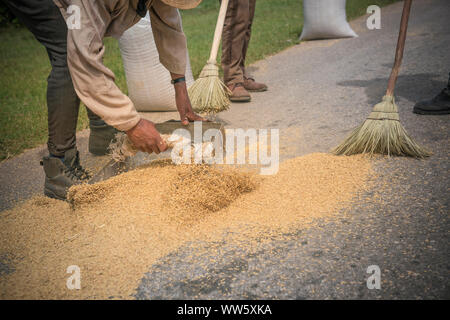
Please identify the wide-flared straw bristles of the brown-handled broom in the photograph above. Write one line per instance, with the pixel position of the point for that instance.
(381, 133)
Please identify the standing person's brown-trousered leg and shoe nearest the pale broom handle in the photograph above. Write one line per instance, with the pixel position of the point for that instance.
(233, 39)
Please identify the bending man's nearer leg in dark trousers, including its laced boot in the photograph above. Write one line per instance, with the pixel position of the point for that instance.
(62, 167)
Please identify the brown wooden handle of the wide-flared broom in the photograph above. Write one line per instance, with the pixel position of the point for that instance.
(400, 47)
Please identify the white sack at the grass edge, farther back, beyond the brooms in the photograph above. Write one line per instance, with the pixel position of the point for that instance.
(325, 19)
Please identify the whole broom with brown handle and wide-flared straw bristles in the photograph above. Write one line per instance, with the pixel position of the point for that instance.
(382, 131)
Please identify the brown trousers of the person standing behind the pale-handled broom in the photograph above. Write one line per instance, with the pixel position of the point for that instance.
(235, 39)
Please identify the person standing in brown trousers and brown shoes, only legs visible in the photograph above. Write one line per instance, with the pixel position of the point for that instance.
(235, 39)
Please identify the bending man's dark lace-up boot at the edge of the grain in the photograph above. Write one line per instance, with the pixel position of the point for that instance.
(60, 174)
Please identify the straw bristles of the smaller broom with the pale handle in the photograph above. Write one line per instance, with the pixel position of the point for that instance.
(209, 94)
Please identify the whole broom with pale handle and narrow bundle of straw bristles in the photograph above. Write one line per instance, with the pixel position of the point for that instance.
(208, 93)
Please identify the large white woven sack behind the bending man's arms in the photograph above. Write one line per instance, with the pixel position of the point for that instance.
(148, 80)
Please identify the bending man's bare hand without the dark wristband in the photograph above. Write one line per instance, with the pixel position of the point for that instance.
(146, 138)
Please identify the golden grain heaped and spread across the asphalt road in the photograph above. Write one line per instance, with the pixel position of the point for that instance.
(115, 230)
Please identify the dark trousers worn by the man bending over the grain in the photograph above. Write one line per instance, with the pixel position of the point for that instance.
(44, 20)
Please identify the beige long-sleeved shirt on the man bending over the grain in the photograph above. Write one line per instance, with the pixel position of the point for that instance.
(93, 82)
